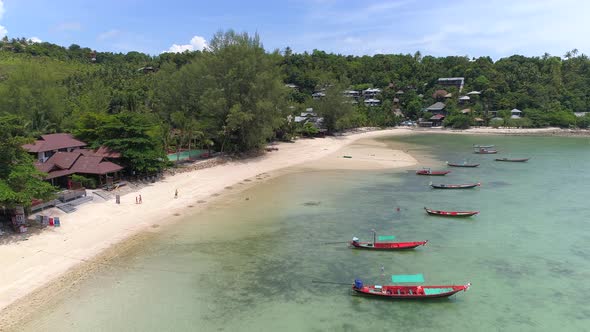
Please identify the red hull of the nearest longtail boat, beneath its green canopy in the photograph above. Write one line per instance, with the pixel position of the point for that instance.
(408, 292)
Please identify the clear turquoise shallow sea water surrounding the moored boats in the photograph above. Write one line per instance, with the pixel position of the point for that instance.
(248, 265)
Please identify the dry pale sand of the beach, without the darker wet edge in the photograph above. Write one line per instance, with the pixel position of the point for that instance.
(29, 265)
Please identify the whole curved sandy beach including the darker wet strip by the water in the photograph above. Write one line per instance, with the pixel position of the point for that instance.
(52, 261)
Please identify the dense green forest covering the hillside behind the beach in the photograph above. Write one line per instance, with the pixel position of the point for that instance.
(235, 96)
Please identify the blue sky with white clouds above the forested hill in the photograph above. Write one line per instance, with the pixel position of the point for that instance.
(454, 27)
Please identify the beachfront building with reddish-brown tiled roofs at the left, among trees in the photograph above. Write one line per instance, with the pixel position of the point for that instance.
(61, 155)
